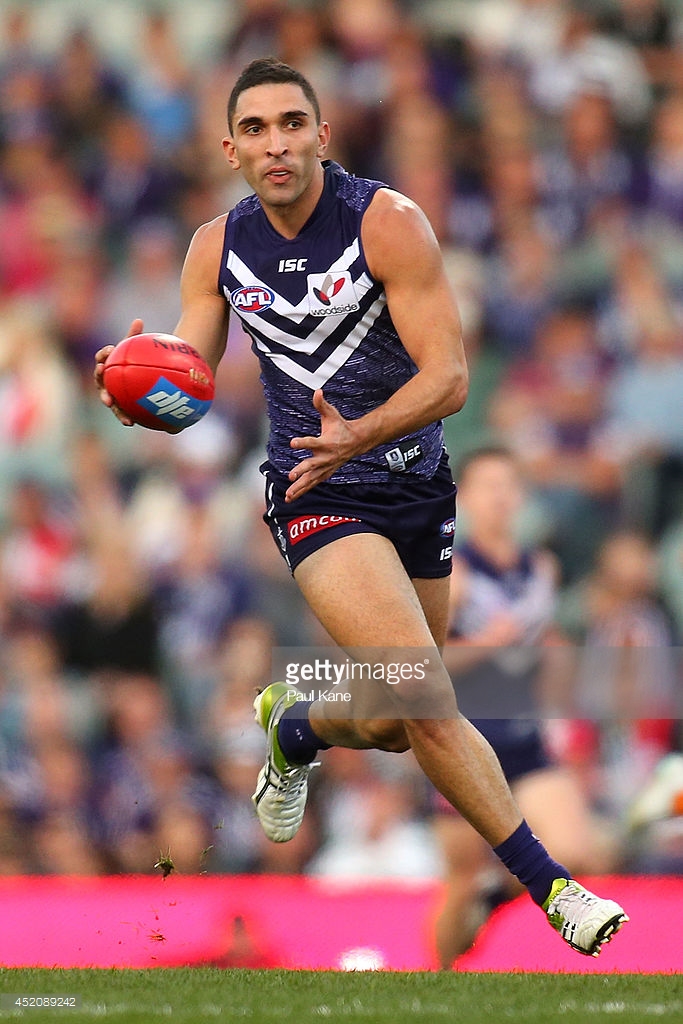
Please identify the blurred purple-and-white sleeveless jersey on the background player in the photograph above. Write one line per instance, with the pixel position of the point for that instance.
(504, 686)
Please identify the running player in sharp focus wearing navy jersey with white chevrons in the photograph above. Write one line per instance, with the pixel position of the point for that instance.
(340, 283)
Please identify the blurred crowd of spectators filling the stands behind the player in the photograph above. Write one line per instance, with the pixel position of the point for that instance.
(141, 594)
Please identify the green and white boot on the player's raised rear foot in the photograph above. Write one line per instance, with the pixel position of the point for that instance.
(282, 789)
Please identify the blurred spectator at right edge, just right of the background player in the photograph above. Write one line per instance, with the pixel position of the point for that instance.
(625, 699)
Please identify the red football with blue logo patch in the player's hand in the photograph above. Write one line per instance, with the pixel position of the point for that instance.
(160, 381)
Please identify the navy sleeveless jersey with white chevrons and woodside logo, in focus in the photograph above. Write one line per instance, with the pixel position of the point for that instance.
(318, 319)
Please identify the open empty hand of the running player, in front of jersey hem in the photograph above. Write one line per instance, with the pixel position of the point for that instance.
(336, 444)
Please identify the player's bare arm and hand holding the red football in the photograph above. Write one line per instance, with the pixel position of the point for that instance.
(204, 315)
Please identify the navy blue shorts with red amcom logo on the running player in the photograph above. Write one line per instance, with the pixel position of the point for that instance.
(418, 517)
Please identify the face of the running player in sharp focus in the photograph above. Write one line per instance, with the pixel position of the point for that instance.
(276, 143)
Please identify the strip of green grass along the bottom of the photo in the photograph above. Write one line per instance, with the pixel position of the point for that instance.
(194, 996)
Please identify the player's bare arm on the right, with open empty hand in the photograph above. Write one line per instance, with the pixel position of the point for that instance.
(402, 252)
